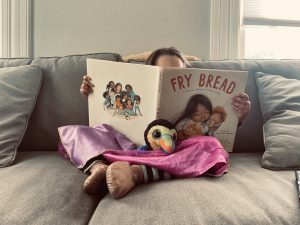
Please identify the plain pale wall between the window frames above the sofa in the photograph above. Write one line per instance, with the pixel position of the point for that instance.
(63, 27)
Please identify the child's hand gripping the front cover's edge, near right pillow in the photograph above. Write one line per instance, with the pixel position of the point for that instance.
(241, 105)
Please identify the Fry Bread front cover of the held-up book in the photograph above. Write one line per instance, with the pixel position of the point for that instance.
(198, 101)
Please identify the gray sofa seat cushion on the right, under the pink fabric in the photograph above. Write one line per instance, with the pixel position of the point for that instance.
(248, 194)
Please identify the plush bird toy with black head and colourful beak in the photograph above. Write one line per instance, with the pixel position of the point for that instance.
(160, 134)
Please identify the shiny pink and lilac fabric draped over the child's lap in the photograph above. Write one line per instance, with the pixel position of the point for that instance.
(192, 157)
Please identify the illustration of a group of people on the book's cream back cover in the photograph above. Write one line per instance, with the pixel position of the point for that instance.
(123, 104)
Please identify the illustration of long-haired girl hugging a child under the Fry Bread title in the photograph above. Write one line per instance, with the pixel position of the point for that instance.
(199, 118)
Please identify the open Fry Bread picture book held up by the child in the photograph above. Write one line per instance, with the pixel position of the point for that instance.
(198, 101)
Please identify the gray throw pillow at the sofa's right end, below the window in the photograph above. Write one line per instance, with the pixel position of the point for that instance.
(280, 104)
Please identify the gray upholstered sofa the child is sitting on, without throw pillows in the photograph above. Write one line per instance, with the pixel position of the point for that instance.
(41, 187)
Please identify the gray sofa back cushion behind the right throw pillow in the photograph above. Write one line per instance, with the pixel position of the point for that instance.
(249, 137)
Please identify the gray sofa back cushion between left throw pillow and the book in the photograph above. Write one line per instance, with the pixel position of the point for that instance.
(60, 102)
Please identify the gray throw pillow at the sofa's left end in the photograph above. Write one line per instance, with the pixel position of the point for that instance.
(19, 88)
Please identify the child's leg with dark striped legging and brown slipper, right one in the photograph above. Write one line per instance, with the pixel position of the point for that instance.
(121, 178)
